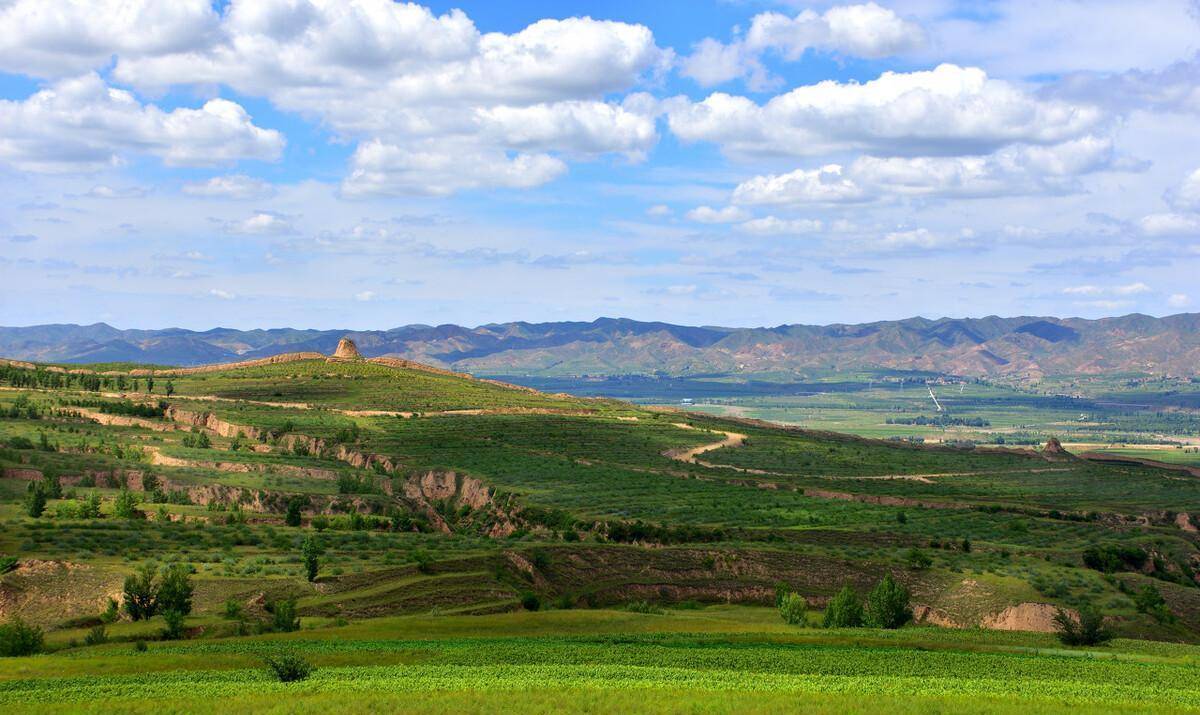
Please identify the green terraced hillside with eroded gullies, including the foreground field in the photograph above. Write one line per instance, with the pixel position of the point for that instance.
(479, 546)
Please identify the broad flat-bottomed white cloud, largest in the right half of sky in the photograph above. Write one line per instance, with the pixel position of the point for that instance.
(947, 111)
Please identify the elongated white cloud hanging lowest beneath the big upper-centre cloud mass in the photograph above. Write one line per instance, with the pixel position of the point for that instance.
(379, 169)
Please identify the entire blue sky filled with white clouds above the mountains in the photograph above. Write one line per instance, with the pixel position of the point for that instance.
(368, 164)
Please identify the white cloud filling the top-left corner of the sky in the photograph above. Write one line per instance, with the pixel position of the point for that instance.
(65, 38)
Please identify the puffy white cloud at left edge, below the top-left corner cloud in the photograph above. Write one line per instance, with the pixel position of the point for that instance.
(82, 124)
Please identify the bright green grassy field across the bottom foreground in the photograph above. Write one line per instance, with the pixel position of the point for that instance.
(722, 659)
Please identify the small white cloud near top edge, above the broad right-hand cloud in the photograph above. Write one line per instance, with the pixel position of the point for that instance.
(860, 31)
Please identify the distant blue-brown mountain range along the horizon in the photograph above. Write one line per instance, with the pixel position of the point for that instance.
(1021, 347)
